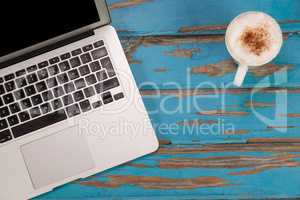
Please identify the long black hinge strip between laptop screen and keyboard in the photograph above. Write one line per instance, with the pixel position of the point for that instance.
(46, 49)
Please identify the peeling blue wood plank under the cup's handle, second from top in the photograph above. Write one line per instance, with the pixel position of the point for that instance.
(196, 61)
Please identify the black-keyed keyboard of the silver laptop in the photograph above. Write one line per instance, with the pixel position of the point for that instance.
(55, 90)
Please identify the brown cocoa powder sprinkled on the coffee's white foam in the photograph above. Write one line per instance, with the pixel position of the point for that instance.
(256, 40)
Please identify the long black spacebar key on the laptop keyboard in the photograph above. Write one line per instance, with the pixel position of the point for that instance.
(39, 123)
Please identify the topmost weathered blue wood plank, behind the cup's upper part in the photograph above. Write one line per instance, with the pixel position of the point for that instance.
(157, 17)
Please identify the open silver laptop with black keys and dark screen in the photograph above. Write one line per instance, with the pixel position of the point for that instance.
(69, 105)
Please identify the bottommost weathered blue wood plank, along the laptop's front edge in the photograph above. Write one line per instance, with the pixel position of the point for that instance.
(255, 169)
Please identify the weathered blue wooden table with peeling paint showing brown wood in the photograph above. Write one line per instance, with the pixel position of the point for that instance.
(217, 141)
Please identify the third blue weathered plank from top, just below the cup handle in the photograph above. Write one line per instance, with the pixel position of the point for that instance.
(229, 115)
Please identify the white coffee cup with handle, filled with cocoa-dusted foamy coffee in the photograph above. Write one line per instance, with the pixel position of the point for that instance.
(252, 39)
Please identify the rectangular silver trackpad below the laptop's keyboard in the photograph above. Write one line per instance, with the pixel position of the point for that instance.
(54, 158)
